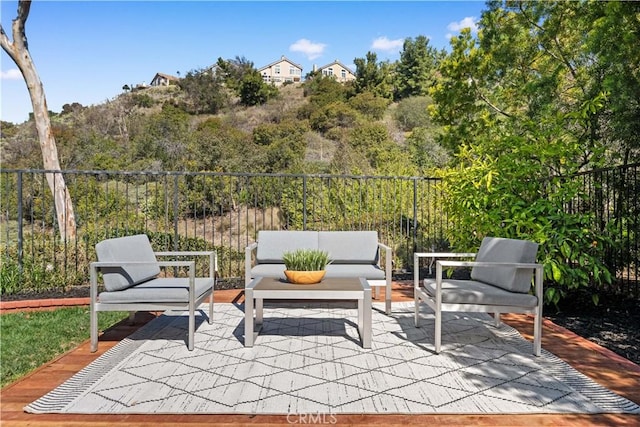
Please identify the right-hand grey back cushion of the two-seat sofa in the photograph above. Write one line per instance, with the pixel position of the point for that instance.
(350, 247)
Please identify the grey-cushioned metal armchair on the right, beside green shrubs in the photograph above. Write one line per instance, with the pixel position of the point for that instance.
(501, 280)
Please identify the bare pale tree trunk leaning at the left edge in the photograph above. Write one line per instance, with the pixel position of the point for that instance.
(19, 53)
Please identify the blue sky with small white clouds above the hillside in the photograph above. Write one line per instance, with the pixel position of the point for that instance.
(85, 51)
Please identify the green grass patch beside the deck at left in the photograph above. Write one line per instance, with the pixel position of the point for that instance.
(30, 339)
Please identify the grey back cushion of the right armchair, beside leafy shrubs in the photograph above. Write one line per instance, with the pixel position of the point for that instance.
(496, 249)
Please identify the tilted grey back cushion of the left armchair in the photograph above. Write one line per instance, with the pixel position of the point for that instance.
(122, 249)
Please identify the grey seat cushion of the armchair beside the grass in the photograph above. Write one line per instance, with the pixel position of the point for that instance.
(160, 290)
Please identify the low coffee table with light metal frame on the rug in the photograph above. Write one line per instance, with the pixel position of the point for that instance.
(261, 288)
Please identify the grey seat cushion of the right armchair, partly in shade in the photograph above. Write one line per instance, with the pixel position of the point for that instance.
(474, 292)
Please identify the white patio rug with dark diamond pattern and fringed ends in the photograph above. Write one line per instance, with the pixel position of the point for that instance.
(308, 359)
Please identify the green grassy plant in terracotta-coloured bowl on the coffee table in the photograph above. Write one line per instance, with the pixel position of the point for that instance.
(305, 266)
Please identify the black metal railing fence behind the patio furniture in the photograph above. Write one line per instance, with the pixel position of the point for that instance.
(182, 210)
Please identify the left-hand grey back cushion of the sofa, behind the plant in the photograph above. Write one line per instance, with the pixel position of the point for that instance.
(272, 244)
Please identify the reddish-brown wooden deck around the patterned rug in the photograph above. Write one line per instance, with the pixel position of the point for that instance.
(603, 366)
